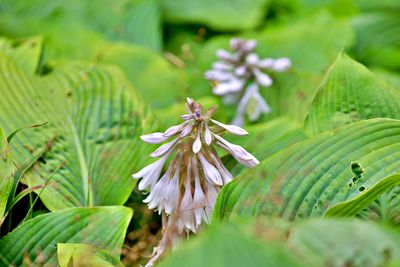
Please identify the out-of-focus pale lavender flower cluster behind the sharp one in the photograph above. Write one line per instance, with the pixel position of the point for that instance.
(238, 76)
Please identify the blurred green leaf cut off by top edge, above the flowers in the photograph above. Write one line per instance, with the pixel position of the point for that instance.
(221, 15)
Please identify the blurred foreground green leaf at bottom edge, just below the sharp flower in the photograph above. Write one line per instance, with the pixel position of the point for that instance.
(225, 245)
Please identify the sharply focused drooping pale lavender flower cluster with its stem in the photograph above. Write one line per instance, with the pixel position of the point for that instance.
(186, 191)
